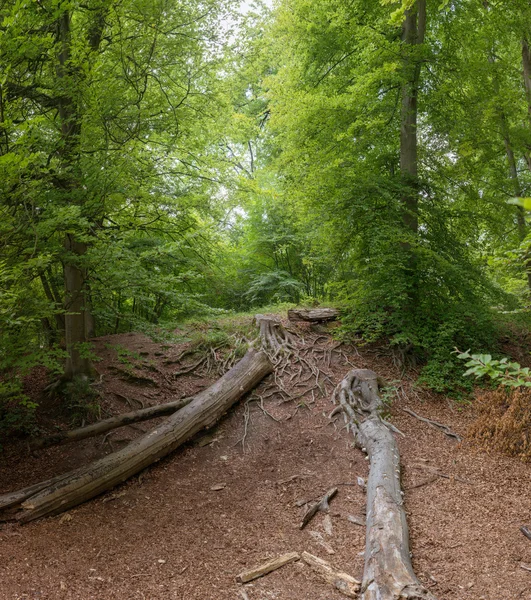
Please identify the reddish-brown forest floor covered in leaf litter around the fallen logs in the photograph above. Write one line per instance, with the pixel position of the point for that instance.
(188, 525)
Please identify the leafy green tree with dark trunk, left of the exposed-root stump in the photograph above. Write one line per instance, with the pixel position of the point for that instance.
(104, 109)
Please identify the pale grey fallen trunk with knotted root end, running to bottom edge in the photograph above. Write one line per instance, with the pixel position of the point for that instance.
(388, 573)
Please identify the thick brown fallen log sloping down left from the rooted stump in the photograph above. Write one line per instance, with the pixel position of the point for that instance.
(85, 483)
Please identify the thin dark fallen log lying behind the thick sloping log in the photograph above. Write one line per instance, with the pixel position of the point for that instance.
(94, 429)
